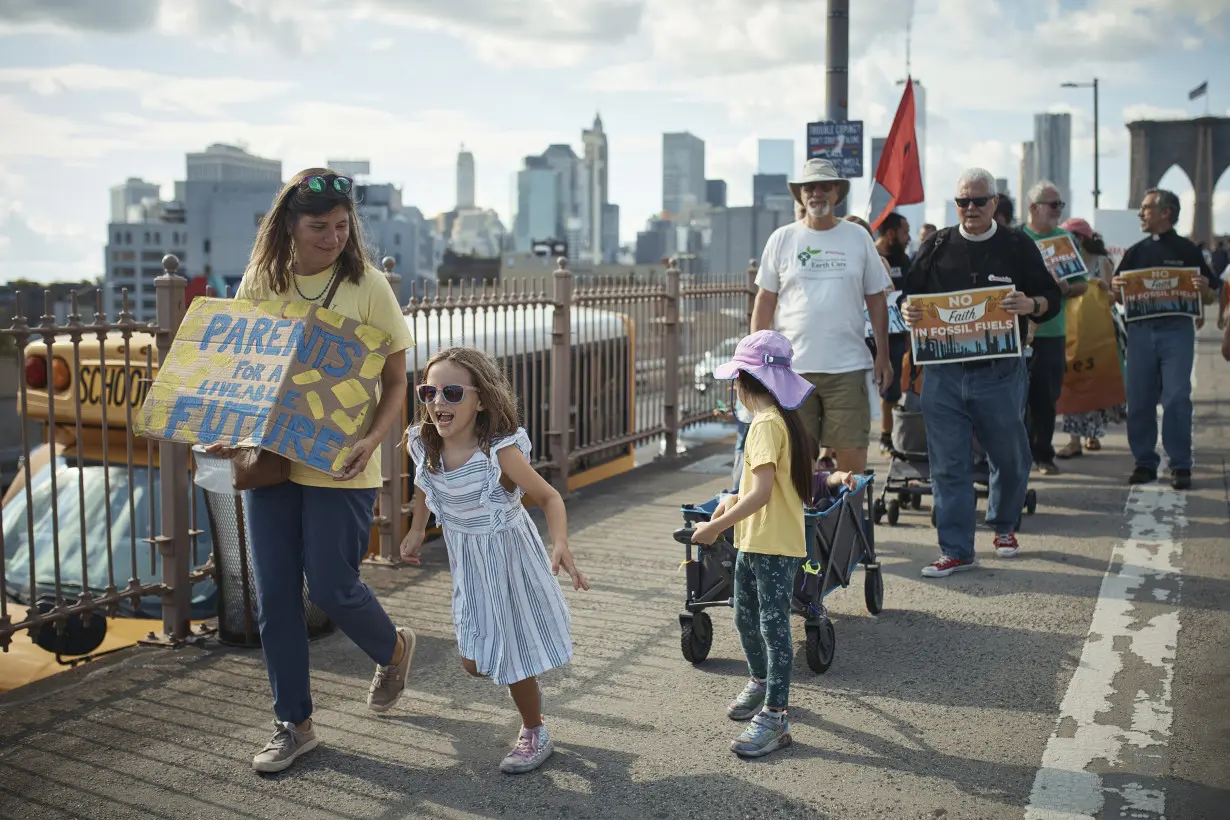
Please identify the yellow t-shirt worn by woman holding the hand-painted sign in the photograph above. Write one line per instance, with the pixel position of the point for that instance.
(371, 302)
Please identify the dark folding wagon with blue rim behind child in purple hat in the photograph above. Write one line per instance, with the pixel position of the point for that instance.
(839, 538)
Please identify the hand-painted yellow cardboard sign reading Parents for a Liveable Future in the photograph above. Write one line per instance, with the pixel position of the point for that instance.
(292, 378)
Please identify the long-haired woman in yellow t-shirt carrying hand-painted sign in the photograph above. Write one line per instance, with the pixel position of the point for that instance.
(314, 526)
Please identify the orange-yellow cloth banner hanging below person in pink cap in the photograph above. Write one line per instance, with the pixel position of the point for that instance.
(1094, 376)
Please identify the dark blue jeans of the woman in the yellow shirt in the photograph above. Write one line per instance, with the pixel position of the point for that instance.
(320, 534)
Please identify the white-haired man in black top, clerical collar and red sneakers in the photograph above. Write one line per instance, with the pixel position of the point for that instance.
(978, 399)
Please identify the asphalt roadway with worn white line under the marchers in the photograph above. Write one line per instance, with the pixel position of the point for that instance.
(1088, 678)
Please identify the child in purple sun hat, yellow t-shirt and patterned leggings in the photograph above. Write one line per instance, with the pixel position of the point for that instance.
(769, 533)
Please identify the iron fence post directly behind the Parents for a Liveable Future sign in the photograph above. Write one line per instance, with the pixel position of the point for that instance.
(174, 544)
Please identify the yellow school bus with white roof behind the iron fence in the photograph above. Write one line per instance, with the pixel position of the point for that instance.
(109, 480)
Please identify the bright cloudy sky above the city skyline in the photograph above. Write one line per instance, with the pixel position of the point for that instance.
(97, 92)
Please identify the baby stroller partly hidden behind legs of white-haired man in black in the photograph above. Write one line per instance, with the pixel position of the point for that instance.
(910, 473)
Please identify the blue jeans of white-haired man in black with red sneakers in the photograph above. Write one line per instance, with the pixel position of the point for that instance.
(985, 400)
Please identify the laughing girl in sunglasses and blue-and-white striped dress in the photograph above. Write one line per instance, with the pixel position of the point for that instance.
(472, 469)
